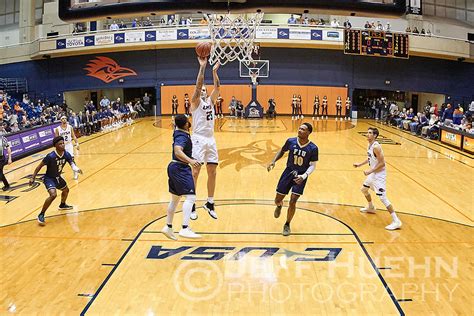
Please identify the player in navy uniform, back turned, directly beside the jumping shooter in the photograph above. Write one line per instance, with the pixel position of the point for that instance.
(180, 178)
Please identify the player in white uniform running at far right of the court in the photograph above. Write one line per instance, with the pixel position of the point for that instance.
(376, 178)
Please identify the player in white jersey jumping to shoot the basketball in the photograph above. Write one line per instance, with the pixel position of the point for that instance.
(204, 143)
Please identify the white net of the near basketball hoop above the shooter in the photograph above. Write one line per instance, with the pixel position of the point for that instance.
(232, 37)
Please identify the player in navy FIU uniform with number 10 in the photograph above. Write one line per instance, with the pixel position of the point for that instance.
(302, 157)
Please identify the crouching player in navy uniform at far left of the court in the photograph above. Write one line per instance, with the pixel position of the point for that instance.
(54, 163)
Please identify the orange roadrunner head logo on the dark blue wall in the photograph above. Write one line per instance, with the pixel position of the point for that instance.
(107, 69)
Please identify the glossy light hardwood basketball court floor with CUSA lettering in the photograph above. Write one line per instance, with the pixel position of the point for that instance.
(108, 257)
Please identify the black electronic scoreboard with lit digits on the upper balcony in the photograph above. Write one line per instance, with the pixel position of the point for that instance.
(376, 43)
